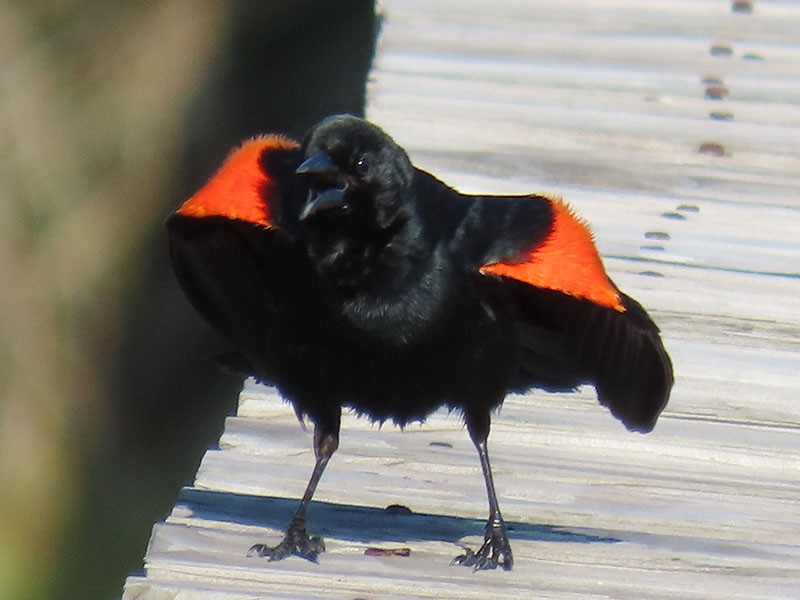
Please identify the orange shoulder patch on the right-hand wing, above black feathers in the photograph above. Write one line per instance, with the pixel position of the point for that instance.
(566, 261)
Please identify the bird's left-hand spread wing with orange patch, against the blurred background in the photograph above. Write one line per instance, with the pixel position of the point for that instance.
(231, 246)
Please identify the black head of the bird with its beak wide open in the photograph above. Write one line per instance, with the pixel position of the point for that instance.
(355, 171)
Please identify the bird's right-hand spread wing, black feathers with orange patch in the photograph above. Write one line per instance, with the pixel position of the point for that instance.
(577, 327)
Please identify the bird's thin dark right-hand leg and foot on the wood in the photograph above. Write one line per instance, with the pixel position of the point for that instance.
(496, 549)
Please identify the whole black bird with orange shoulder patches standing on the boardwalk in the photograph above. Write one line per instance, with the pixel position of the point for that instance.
(347, 277)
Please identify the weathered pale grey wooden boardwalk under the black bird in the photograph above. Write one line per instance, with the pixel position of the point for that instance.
(674, 128)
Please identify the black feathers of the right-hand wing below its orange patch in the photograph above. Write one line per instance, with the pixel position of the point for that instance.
(568, 341)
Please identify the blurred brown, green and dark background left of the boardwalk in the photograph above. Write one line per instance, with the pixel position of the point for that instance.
(112, 113)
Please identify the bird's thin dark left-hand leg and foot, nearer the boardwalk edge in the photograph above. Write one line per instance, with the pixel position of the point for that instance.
(297, 541)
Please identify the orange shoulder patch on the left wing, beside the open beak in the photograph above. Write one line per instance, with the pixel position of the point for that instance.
(235, 191)
